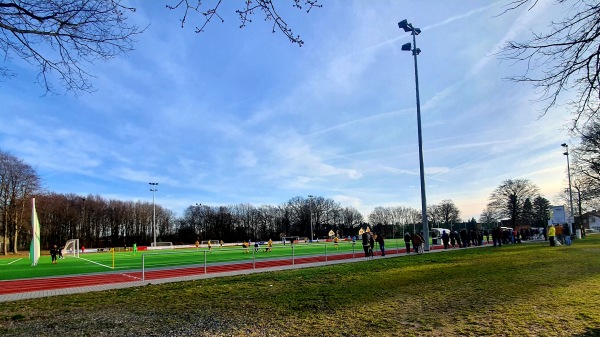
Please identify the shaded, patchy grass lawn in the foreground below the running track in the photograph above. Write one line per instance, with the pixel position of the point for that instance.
(515, 290)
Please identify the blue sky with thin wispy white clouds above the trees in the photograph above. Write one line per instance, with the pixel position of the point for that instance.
(243, 116)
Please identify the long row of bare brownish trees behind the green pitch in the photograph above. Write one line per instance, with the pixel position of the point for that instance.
(98, 222)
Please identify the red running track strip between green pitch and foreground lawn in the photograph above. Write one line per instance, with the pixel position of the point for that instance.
(65, 282)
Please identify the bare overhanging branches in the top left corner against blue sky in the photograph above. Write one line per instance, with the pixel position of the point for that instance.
(58, 36)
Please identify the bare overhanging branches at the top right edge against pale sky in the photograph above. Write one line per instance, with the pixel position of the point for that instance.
(564, 59)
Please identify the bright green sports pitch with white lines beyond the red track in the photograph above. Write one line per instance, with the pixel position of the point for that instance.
(12, 268)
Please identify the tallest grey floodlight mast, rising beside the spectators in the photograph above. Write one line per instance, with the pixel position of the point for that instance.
(408, 27)
